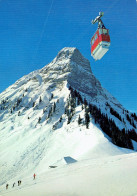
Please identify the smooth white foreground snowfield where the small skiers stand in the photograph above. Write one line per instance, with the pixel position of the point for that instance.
(114, 175)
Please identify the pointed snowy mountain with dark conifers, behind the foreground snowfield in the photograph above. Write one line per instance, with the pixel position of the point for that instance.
(60, 111)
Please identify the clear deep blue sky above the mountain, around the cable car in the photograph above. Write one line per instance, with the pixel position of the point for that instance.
(32, 32)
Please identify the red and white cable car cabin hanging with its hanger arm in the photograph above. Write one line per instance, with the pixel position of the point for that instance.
(100, 42)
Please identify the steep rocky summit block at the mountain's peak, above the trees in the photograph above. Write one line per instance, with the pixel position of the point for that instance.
(71, 65)
